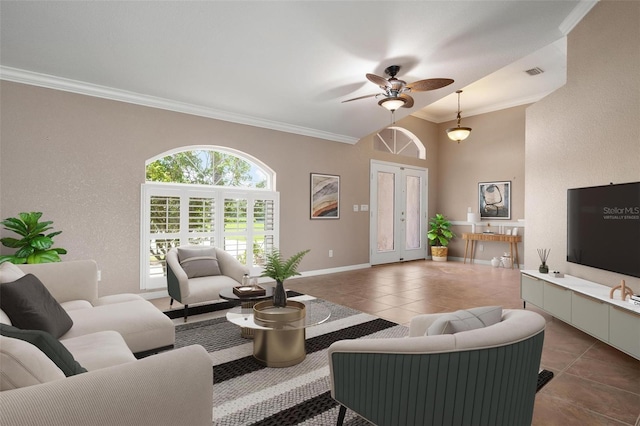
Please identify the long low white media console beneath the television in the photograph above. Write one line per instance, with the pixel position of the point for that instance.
(586, 306)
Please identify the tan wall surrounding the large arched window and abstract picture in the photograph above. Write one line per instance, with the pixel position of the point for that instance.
(80, 160)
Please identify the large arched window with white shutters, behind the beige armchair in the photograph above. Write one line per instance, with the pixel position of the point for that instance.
(206, 195)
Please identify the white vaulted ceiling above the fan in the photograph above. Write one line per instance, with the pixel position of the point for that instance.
(288, 65)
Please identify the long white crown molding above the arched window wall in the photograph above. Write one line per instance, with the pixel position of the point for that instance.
(67, 85)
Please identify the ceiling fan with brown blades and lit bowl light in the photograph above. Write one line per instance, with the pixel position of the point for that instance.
(395, 90)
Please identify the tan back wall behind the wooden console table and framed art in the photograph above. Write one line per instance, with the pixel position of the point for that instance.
(493, 152)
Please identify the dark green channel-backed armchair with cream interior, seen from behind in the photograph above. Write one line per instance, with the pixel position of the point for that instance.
(486, 376)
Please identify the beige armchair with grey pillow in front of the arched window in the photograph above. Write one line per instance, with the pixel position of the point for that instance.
(197, 274)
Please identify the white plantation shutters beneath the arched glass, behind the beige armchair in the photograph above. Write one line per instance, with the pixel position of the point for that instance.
(243, 222)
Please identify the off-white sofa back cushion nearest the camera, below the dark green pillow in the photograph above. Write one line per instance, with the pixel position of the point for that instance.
(22, 364)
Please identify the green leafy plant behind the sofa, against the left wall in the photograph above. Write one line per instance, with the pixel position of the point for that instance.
(34, 246)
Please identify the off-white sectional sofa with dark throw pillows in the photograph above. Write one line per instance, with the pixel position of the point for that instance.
(172, 387)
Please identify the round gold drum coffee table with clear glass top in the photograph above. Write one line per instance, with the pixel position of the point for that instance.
(279, 333)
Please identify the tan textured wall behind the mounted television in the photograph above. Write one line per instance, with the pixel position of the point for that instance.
(585, 134)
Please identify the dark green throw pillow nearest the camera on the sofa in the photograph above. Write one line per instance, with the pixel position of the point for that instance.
(49, 345)
